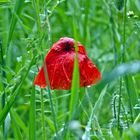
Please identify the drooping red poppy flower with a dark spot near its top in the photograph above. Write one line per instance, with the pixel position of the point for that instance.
(60, 63)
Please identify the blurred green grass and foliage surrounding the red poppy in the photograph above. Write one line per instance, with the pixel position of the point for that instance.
(28, 28)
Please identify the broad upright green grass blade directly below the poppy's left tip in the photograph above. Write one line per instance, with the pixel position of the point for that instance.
(32, 116)
